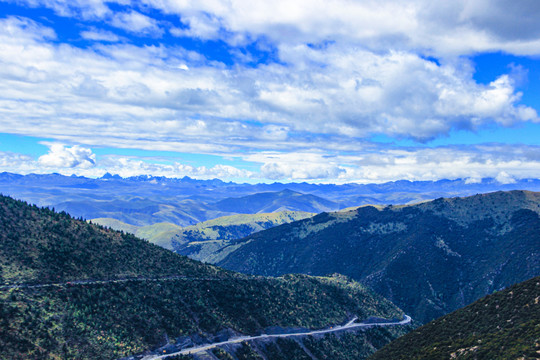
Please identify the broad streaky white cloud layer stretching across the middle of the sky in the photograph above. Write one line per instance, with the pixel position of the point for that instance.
(146, 94)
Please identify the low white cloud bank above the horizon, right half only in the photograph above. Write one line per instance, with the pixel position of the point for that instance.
(376, 165)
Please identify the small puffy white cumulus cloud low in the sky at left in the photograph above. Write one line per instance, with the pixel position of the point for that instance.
(60, 156)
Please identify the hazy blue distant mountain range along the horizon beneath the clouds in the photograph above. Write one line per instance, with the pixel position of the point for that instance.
(147, 200)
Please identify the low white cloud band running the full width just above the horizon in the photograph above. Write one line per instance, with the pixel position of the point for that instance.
(506, 164)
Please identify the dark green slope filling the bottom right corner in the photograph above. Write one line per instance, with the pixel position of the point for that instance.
(505, 325)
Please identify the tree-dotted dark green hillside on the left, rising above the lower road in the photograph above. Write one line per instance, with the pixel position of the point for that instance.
(138, 296)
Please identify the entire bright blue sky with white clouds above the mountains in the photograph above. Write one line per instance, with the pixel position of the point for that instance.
(332, 91)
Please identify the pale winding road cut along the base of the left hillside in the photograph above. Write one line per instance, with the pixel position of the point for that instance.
(350, 325)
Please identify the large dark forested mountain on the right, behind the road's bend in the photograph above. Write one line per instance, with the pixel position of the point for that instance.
(429, 259)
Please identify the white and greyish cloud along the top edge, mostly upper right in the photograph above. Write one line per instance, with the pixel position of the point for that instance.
(440, 28)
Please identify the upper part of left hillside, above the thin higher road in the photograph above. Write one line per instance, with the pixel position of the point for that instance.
(38, 245)
